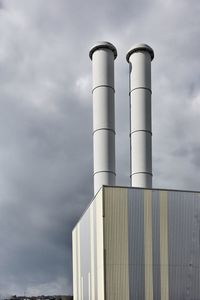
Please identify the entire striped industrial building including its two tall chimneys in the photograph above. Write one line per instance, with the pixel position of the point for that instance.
(133, 243)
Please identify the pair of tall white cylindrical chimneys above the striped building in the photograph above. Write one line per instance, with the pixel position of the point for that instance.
(139, 58)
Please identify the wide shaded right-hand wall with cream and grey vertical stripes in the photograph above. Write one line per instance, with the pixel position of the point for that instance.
(163, 229)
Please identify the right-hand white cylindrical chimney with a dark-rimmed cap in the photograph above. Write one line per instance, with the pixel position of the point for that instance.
(139, 58)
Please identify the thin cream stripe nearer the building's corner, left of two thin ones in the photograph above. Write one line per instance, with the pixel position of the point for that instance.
(148, 256)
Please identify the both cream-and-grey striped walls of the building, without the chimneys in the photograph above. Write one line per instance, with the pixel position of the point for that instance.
(138, 244)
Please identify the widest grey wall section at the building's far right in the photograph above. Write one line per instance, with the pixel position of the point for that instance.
(184, 252)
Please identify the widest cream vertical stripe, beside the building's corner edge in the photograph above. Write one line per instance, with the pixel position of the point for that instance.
(116, 243)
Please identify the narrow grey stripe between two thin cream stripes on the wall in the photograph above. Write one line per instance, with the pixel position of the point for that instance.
(156, 244)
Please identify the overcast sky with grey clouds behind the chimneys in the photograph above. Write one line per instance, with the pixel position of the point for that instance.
(46, 120)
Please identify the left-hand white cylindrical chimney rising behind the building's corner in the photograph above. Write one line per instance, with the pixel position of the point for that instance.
(103, 55)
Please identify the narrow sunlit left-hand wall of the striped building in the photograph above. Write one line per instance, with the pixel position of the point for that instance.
(88, 253)
